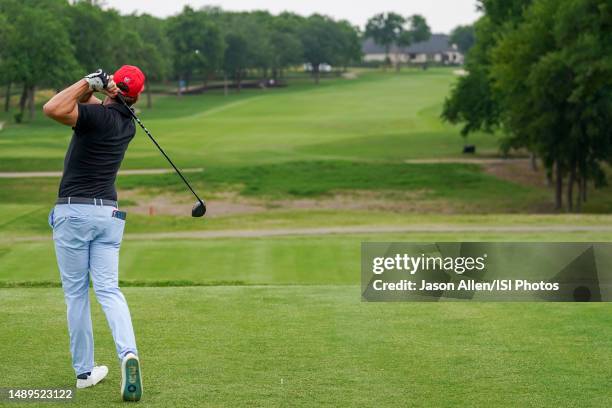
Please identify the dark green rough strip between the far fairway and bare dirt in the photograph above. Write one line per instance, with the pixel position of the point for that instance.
(312, 178)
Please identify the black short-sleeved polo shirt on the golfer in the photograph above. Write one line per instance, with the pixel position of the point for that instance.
(101, 137)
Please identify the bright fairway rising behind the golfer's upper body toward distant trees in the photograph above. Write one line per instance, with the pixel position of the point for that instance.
(348, 119)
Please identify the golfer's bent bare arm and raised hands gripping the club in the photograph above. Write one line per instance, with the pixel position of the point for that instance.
(63, 107)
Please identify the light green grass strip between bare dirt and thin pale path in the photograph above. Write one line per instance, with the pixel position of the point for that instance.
(23, 220)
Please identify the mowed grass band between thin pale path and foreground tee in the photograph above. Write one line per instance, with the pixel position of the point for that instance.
(319, 259)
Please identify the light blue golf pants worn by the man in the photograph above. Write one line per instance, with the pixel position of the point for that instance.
(87, 240)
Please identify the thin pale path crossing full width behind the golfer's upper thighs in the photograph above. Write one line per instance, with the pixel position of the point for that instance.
(341, 230)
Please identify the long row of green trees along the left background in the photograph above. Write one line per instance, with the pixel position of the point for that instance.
(49, 43)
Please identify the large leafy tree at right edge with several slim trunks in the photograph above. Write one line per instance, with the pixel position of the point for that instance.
(557, 63)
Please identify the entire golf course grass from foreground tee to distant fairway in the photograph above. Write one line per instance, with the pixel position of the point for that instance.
(259, 304)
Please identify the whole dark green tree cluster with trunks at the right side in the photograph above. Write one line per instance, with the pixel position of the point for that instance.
(541, 71)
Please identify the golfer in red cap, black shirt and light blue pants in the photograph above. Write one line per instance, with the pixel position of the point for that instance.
(86, 221)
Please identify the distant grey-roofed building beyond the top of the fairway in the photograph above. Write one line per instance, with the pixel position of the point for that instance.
(436, 49)
